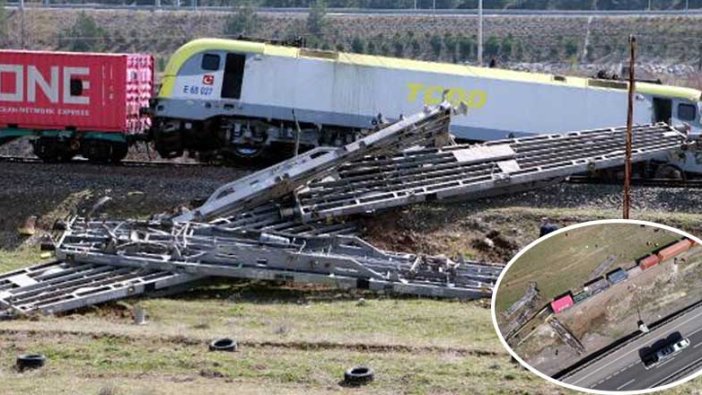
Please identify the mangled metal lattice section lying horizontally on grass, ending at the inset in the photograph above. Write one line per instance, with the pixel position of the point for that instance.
(207, 250)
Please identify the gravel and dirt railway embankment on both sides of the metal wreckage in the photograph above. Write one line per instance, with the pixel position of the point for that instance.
(52, 191)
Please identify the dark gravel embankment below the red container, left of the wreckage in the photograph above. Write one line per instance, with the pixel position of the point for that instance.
(50, 190)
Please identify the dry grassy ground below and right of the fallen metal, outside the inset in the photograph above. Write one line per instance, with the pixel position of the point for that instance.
(294, 340)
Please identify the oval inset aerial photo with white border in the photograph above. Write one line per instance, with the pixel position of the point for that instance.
(609, 306)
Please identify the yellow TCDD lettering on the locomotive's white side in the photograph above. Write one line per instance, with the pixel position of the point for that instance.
(433, 94)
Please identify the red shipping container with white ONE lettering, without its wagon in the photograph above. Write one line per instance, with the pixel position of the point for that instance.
(75, 91)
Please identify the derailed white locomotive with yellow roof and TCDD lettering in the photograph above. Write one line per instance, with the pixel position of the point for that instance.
(253, 98)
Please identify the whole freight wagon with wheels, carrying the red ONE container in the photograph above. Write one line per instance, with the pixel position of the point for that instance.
(75, 103)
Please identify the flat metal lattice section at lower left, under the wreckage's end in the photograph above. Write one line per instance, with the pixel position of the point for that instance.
(59, 287)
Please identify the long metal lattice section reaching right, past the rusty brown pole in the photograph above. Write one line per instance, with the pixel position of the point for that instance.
(467, 171)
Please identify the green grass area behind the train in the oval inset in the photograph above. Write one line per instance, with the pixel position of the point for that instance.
(566, 261)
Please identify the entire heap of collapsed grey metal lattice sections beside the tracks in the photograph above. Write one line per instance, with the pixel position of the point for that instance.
(295, 221)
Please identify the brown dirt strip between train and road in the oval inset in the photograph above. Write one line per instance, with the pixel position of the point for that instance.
(614, 313)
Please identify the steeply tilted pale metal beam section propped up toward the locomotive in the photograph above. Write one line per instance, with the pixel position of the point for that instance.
(269, 184)
